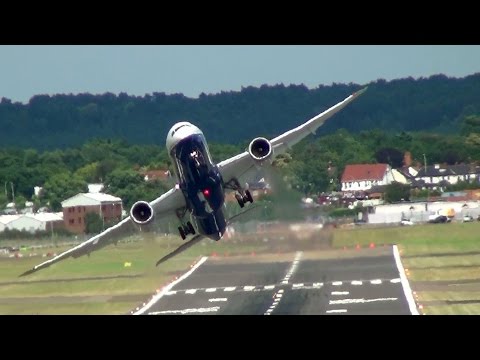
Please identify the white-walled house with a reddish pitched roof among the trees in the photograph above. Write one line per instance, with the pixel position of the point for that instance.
(361, 177)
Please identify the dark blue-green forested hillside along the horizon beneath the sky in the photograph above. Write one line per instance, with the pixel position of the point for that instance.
(61, 121)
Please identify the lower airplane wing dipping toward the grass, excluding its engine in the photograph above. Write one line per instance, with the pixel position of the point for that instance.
(164, 206)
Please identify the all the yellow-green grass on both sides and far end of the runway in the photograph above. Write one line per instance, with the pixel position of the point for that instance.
(101, 284)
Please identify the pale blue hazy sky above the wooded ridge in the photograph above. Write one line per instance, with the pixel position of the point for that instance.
(28, 70)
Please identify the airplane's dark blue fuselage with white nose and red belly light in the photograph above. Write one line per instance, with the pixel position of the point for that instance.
(198, 178)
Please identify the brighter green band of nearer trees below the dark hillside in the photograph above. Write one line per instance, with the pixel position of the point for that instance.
(314, 165)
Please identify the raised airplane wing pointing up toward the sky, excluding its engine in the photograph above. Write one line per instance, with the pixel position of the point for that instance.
(242, 166)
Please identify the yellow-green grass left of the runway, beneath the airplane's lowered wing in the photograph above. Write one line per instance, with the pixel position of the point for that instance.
(105, 264)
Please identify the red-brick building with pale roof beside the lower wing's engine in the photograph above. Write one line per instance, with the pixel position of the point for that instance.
(108, 207)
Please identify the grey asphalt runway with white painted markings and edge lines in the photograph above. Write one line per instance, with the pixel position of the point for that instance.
(306, 284)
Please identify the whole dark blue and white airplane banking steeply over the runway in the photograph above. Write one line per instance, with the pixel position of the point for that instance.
(196, 202)
